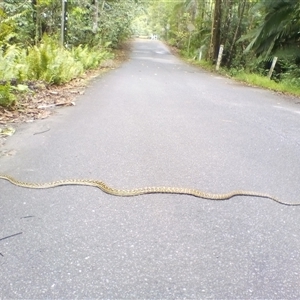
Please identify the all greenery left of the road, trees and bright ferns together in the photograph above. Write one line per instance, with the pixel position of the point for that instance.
(30, 31)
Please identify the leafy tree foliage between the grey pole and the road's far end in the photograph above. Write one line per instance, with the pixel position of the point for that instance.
(104, 21)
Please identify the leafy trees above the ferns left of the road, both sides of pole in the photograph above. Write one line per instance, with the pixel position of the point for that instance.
(89, 22)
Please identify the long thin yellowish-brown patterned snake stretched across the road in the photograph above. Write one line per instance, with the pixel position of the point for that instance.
(141, 191)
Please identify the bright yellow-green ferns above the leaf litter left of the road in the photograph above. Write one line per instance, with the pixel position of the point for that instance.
(48, 62)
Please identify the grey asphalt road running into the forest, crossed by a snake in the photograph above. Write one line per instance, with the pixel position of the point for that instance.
(155, 121)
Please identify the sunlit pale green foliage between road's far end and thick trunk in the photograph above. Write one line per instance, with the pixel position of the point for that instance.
(171, 20)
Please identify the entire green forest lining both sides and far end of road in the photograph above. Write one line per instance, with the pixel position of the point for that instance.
(57, 40)
